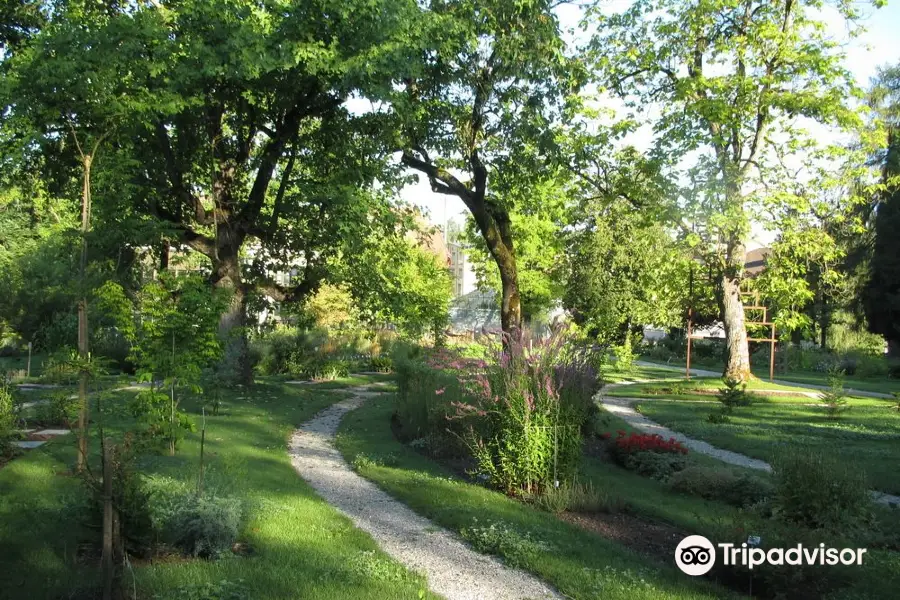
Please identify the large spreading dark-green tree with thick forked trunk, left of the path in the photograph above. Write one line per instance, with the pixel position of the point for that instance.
(235, 133)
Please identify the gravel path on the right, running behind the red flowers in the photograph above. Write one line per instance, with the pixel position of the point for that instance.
(622, 407)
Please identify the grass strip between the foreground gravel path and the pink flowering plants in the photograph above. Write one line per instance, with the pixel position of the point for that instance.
(578, 563)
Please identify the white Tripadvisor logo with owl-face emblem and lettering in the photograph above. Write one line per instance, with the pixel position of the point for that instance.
(696, 555)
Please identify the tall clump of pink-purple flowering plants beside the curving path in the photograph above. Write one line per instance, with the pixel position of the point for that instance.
(519, 416)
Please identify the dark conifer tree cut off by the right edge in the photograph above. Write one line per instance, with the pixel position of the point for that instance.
(882, 292)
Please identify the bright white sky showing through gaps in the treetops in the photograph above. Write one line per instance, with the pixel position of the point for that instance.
(879, 45)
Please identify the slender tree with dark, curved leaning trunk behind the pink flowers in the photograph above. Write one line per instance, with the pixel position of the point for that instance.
(480, 95)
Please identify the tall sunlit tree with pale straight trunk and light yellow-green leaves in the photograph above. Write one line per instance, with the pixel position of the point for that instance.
(730, 80)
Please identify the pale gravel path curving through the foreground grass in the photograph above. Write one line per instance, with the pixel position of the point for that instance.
(454, 570)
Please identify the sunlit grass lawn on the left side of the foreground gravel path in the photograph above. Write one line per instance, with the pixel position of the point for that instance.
(301, 547)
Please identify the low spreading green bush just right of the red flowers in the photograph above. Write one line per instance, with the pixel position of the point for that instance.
(721, 484)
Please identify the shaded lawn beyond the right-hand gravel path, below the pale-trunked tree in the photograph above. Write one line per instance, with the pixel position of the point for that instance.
(867, 437)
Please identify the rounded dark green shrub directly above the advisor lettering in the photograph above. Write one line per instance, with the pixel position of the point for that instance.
(814, 490)
